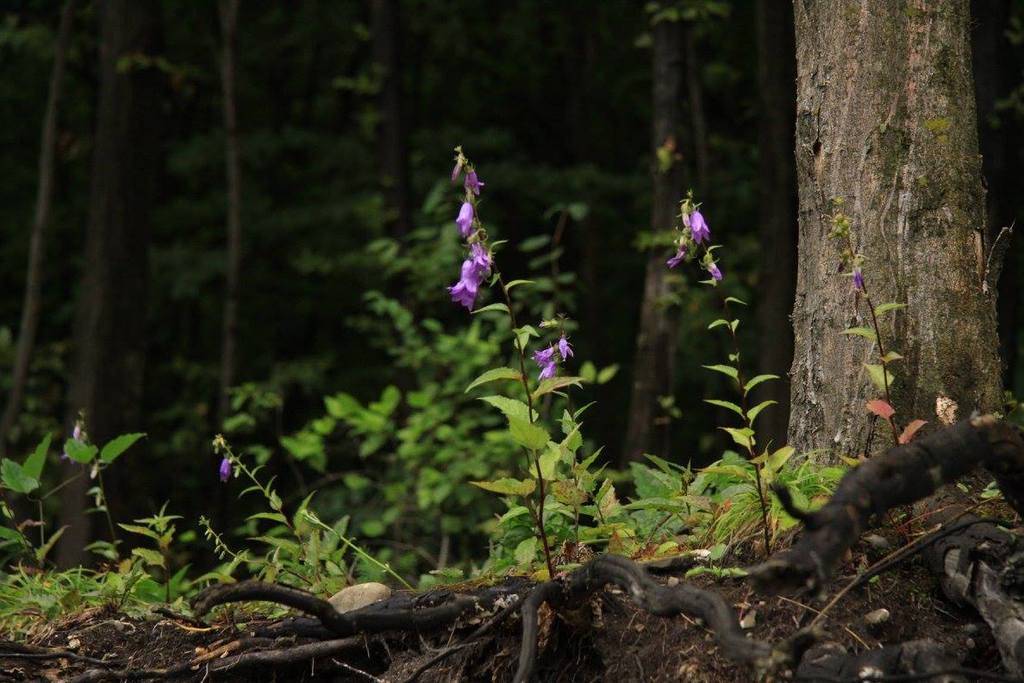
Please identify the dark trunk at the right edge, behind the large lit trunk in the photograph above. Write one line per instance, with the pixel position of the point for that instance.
(999, 152)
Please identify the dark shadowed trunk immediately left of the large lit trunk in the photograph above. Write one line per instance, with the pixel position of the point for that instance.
(777, 209)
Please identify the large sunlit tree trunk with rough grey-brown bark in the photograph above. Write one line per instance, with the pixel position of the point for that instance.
(886, 125)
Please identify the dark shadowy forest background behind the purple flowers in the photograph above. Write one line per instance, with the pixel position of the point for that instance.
(348, 116)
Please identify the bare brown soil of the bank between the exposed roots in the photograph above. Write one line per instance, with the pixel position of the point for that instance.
(606, 639)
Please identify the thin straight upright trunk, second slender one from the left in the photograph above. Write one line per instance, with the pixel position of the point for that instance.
(229, 25)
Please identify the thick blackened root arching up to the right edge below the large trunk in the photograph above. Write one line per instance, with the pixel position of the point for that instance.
(904, 476)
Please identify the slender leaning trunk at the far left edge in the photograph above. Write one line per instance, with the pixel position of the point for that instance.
(40, 224)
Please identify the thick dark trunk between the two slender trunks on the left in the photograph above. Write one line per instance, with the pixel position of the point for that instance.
(110, 321)
